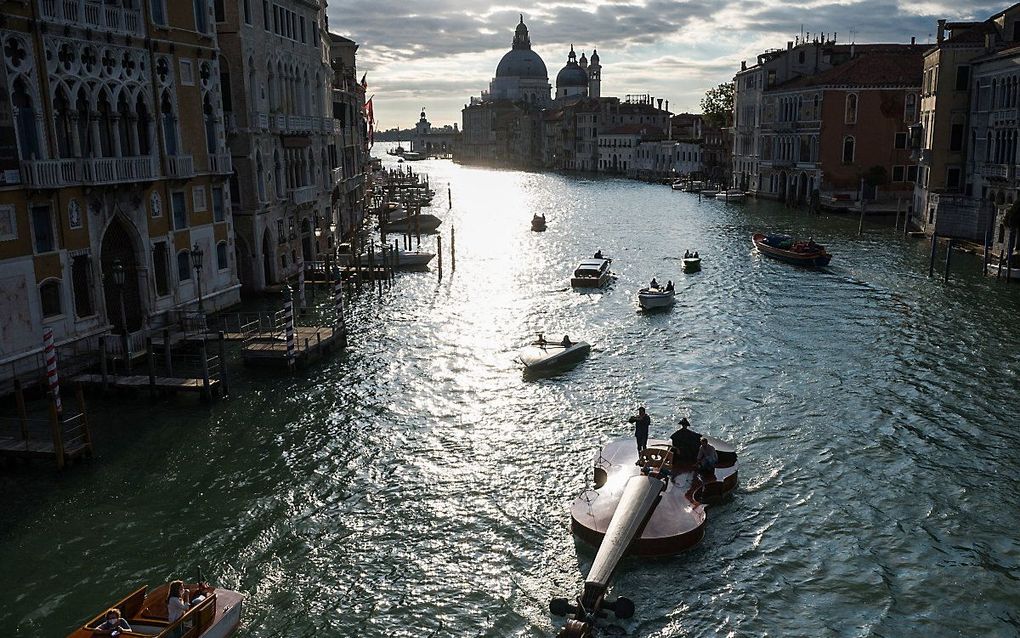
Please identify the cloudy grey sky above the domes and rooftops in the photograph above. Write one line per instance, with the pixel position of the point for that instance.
(438, 54)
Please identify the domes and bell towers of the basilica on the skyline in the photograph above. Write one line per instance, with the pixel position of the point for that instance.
(522, 75)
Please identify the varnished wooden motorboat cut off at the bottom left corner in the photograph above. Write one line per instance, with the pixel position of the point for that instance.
(215, 613)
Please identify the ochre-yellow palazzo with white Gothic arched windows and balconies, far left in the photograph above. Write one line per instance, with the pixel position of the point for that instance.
(113, 171)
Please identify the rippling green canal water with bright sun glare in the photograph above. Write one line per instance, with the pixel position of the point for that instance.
(420, 485)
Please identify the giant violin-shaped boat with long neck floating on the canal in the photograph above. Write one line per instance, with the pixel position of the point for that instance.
(652, 507)
